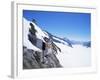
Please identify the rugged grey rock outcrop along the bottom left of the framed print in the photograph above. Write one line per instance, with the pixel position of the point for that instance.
(31, 60)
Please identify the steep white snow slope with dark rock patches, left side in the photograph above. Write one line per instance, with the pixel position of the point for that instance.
(39, 35)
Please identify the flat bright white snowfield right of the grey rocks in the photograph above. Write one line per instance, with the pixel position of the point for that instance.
(78, 56)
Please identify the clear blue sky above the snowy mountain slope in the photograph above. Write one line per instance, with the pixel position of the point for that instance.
(75, 26)
